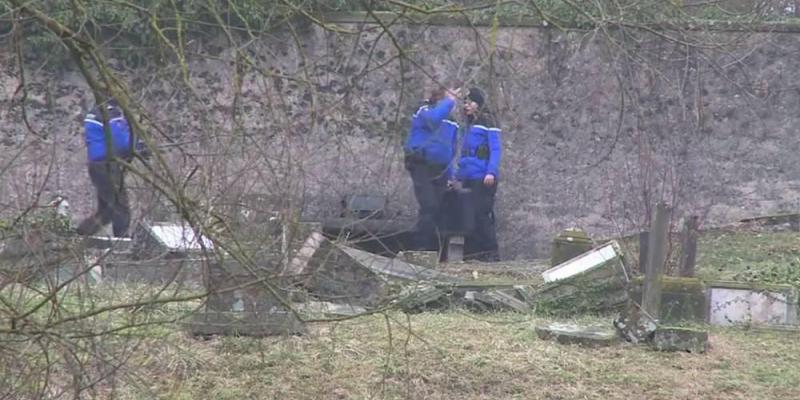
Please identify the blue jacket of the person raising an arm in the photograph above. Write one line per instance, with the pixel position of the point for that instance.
(432, 135)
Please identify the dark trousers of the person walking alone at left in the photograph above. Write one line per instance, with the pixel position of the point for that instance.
(112, 201)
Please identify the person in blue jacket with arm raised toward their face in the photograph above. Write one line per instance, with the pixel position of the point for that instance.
(429, 152)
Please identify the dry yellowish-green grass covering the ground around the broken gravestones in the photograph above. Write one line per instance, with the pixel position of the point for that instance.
(458, 354)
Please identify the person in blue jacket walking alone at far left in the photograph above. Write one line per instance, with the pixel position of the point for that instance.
(106, 121)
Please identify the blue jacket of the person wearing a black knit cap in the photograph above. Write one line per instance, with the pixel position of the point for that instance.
(481, 151)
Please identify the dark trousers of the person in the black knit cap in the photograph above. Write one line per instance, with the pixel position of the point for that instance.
(481, 241)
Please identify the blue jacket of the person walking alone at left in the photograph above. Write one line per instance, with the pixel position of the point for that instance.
(95, 135)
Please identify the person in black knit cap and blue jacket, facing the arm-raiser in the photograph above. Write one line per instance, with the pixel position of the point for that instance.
(478, 170)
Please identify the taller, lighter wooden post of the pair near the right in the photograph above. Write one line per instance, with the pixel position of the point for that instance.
(657, 254)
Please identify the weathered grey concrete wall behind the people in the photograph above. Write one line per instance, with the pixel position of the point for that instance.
(595, 130)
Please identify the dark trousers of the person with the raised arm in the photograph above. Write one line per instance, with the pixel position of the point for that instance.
(430, 184)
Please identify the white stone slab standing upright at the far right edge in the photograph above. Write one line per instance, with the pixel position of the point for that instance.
(731, 306)
